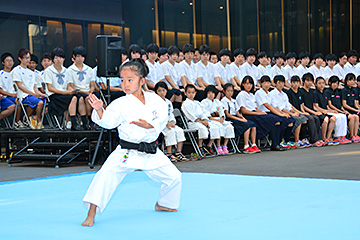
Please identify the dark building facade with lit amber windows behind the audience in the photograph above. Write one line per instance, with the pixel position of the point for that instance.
(326, 26)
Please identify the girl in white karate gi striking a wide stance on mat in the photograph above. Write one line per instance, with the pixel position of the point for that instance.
(139, 117)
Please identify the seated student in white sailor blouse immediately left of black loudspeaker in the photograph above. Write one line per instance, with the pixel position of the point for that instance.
(82, 77)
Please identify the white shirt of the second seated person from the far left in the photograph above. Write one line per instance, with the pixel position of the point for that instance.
(26, 77)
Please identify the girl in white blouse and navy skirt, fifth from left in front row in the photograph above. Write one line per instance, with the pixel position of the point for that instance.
(265, 123)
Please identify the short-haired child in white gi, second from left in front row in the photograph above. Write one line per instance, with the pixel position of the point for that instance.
(199, 119)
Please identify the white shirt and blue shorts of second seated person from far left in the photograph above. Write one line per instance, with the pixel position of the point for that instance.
(28, 80)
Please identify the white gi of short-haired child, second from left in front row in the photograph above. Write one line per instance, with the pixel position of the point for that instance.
(193, 110)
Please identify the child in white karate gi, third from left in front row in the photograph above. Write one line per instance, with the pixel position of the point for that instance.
(216, 114)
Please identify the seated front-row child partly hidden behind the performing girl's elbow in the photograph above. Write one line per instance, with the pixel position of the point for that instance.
(173, 134)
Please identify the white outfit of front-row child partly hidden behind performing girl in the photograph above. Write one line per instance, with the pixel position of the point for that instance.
(173, 135)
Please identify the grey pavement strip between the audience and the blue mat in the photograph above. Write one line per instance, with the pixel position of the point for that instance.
(331, 162)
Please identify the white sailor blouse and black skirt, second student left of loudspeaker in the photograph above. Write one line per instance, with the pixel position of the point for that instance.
(59, 103)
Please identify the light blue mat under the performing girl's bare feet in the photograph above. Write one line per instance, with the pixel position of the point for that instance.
(213, 207)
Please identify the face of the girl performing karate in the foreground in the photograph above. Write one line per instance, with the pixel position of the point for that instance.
(130, 81)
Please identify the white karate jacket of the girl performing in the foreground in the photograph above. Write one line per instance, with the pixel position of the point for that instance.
(121, 112)
